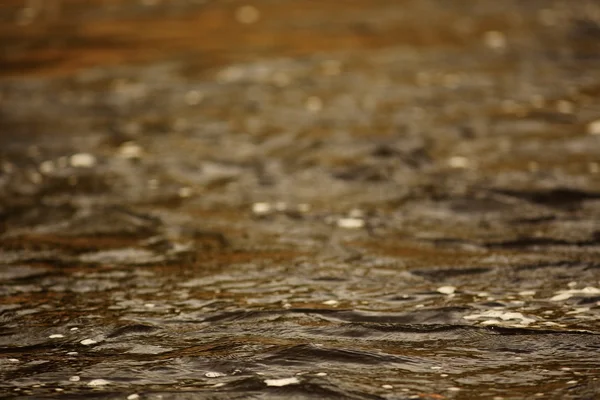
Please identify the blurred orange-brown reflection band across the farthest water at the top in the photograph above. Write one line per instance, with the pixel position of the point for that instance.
(62, 37)
